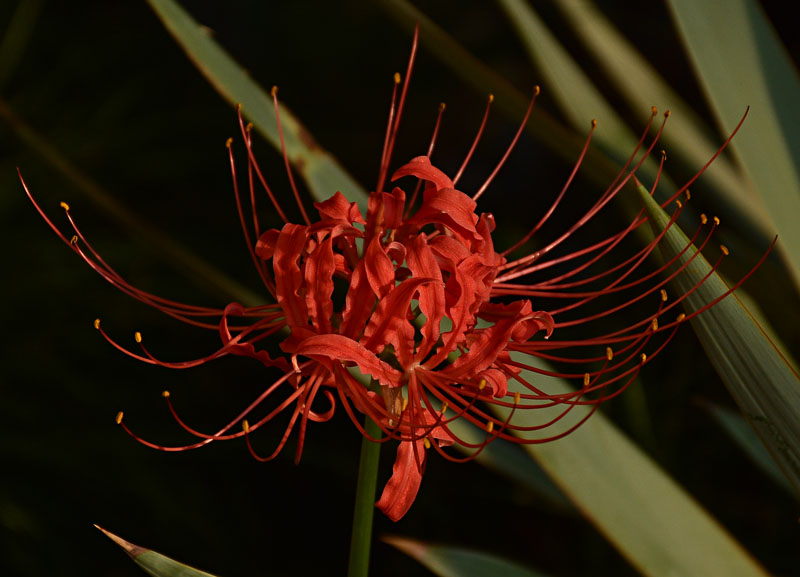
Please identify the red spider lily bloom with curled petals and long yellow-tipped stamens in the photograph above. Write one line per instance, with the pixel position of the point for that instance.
(431, 312)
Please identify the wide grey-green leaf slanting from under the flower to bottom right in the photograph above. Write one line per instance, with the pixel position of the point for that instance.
(640, 509)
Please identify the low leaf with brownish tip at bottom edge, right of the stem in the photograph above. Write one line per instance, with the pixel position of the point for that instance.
(458, 562)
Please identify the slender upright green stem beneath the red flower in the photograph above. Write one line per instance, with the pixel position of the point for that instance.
(365, 502)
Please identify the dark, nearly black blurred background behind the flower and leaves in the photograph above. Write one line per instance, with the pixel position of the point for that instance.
(96, 96)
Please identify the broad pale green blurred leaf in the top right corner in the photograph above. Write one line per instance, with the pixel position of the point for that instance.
(743, 63)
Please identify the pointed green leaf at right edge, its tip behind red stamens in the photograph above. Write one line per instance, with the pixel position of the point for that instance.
(760, 380)
